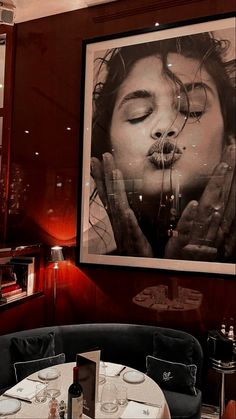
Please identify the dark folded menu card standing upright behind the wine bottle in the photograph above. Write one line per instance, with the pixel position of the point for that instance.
(88, 363)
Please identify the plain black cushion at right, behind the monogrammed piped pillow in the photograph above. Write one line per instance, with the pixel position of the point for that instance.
(173, 348)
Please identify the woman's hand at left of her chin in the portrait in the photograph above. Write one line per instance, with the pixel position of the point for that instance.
(129, 238)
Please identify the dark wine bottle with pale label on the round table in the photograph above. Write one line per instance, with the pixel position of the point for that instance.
(75, 397)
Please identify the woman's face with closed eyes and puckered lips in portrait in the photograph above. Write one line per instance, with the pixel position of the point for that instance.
(169, 137)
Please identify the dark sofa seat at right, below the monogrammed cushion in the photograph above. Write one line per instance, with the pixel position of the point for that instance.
(184, 405)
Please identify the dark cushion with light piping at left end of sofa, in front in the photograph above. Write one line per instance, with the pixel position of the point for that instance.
(23, 369)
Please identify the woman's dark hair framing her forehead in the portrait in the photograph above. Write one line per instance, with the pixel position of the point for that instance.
(118, 62)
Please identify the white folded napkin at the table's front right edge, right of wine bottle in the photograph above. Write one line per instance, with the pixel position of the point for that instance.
(139, 411)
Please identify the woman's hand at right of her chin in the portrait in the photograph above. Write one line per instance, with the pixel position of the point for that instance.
(206, 229)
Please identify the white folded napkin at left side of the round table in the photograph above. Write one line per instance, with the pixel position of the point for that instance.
(25, 390)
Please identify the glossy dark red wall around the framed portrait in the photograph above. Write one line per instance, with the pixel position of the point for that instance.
(46, 102)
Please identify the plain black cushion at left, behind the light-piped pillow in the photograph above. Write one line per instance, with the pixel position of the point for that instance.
(32, 347)
